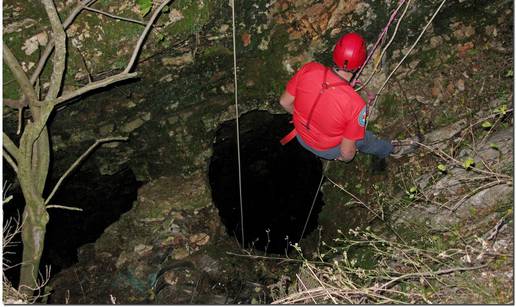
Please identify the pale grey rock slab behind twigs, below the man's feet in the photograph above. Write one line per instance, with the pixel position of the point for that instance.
(459, 201)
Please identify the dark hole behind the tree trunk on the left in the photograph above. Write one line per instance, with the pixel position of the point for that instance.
(103, 199)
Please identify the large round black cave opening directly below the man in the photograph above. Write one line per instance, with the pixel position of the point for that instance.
(278, 182)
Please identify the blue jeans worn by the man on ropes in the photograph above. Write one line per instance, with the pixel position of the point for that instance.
(370, 144)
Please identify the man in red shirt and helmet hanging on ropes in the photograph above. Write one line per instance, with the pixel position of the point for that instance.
(329, 116)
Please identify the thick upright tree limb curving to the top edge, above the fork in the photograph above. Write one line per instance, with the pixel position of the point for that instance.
(59, 36)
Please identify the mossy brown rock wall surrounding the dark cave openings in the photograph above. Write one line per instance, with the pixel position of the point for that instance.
(167, 249)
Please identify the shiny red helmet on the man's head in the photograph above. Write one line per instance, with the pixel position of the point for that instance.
(350, 52)
